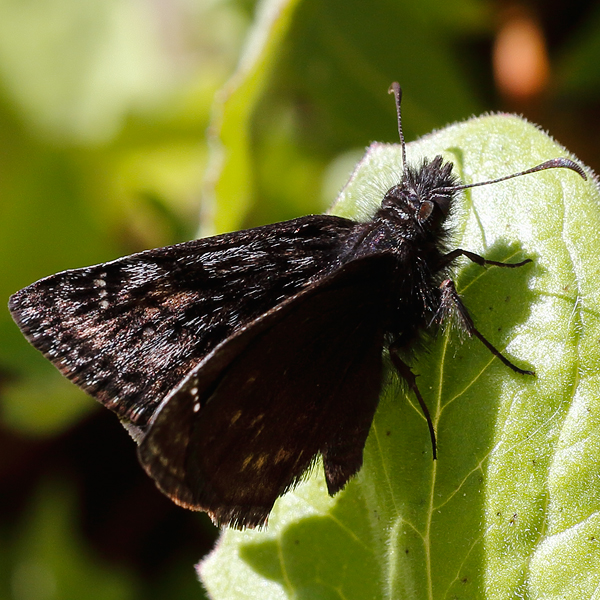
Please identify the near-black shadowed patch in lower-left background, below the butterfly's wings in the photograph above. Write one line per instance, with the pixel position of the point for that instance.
(125, 520)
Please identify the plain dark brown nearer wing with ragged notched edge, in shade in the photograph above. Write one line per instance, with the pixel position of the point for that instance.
(251, 418)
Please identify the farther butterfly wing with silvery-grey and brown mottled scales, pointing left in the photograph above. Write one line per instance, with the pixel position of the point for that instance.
(129, 331)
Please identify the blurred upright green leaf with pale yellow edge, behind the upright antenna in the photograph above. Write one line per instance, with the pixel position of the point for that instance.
(312, 82)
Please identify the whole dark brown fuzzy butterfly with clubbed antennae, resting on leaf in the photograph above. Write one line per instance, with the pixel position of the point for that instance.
(236, 360)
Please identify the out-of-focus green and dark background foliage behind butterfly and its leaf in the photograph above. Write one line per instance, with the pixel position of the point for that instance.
(104, 107)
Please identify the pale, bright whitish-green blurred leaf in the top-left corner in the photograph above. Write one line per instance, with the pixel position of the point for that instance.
(76, 69)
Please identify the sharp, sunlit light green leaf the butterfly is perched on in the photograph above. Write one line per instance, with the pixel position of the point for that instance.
(510, 508)
